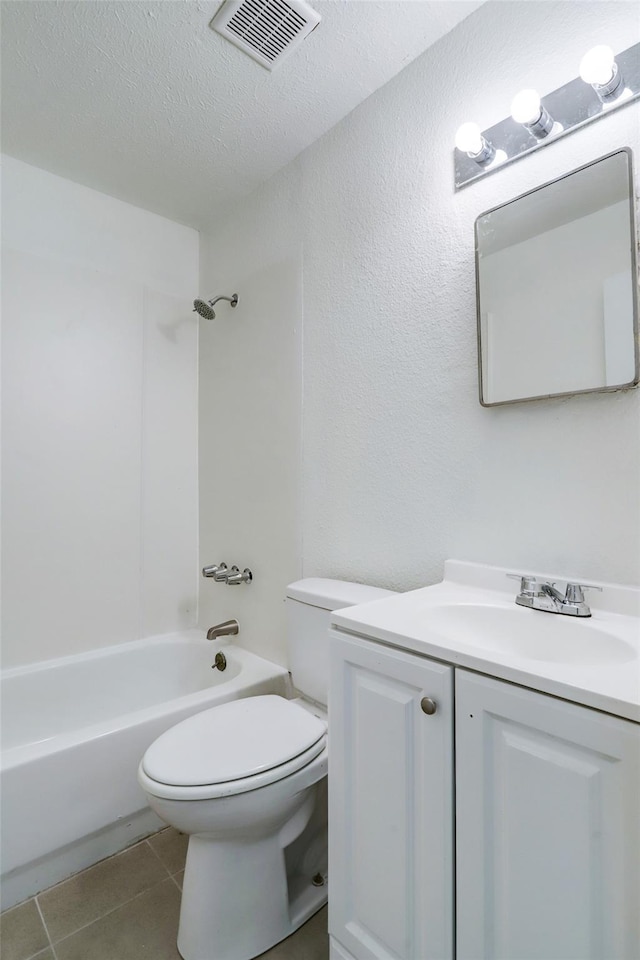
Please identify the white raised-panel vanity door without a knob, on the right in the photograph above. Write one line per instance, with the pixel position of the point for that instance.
(547, 822)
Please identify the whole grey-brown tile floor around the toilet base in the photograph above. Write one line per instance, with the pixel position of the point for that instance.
(125, 908)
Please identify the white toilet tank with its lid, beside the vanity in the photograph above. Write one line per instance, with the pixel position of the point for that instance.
(309, 604)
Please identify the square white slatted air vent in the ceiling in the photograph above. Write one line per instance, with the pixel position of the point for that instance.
(268, 30)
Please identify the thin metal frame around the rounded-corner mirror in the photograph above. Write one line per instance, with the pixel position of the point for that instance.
(634, 276)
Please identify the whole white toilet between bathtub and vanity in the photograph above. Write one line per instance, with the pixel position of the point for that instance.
(246, 781)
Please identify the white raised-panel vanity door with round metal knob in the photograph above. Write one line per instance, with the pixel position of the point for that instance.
(390, 803)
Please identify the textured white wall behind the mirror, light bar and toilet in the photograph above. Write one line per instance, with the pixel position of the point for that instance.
(401, 465)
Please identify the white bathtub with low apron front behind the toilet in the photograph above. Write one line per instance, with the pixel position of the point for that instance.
(73, 733)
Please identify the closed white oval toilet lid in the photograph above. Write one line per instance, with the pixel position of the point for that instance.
(232, 741)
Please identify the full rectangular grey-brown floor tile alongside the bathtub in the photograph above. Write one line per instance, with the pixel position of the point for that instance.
(98, 890)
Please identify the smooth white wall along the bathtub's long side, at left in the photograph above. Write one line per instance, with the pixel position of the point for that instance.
(99, 419)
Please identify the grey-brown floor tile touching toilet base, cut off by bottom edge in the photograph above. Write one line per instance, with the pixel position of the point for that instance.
(143, 929)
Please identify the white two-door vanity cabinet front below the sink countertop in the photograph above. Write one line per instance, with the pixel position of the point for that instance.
(547, 822)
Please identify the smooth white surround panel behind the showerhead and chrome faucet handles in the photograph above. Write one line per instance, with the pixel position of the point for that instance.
(250, 436)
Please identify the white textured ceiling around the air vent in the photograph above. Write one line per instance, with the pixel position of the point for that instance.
(141, 100)
